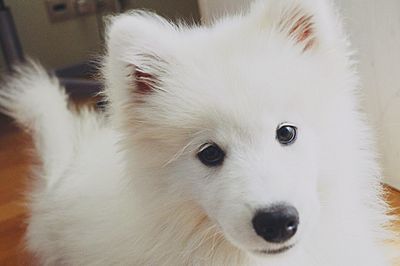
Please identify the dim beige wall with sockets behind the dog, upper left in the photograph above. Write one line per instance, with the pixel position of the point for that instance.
(65, 32)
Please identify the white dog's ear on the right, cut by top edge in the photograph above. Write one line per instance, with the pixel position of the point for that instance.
(307, 23)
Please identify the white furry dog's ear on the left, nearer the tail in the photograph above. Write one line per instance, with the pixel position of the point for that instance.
(139, 55)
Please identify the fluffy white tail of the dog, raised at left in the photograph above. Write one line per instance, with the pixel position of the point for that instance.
(39, 104)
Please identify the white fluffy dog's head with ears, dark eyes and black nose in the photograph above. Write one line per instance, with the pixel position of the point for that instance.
(238, 117)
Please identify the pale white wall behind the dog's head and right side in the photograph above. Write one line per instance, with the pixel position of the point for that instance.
(374, 29)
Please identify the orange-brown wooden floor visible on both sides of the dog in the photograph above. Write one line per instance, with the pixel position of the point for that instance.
(14, 162)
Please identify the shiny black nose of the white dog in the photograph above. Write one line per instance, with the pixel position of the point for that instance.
(276, 224)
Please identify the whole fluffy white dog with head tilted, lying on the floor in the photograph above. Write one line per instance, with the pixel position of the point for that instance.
(235, 144)
